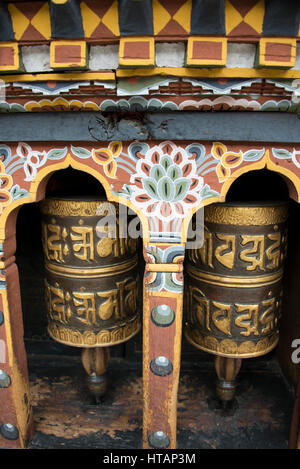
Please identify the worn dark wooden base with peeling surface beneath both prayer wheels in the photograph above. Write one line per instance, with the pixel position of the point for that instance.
(66, 417)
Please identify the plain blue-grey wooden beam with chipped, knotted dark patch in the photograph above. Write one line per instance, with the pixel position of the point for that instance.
(93, 126)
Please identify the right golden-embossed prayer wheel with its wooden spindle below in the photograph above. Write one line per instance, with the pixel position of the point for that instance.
(234, 285)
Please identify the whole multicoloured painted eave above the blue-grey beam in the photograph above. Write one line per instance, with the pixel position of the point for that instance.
(149, 55)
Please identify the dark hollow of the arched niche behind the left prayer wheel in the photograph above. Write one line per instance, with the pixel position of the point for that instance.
(67, 182)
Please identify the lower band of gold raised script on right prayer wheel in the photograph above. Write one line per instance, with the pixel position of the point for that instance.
(233, 319)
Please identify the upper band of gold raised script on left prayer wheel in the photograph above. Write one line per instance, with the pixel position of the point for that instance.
(83, 242)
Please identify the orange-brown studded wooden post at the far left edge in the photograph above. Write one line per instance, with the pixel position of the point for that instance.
(16, 424)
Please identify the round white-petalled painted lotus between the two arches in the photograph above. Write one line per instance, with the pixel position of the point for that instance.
(166, 184)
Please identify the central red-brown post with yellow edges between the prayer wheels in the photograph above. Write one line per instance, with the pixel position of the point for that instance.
(162, 327)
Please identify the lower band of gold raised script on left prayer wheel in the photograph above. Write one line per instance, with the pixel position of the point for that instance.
(88, 307)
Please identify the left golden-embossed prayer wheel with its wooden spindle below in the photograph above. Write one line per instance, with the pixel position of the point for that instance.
(91, 280)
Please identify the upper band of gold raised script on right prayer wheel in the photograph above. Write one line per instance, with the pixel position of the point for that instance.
(257, 252)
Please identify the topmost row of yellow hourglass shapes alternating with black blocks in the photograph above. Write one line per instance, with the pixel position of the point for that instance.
(33, 22)
